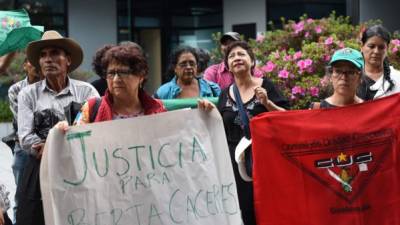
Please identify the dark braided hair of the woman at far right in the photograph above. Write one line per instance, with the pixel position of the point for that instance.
(382, 32)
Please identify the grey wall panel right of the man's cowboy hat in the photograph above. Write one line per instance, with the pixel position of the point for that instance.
(92, 23)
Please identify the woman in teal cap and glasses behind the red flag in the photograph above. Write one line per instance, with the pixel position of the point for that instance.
(345, 70)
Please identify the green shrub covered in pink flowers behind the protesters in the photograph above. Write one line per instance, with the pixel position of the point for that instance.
(295, 57)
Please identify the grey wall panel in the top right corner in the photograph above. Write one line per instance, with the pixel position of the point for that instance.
(385, 10)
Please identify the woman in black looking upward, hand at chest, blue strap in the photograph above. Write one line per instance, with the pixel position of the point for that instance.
(246, 98)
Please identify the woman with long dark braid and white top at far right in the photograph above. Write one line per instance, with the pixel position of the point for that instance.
(379, 78)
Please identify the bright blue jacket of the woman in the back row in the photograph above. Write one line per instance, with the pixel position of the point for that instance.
(171, 89)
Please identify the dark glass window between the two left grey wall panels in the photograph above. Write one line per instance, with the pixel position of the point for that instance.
(181, 22)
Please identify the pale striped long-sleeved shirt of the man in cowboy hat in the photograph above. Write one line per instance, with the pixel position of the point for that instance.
(38, 97)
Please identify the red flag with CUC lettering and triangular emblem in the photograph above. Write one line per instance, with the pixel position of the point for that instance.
(328, 167)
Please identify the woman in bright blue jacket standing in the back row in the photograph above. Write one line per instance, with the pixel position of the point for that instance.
(186, 83)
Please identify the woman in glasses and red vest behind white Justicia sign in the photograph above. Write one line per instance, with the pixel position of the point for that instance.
(126, 71)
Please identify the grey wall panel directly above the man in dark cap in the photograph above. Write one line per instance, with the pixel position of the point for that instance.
(242, 12)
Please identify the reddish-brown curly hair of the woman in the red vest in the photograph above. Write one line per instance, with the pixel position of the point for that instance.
(129, 56)
